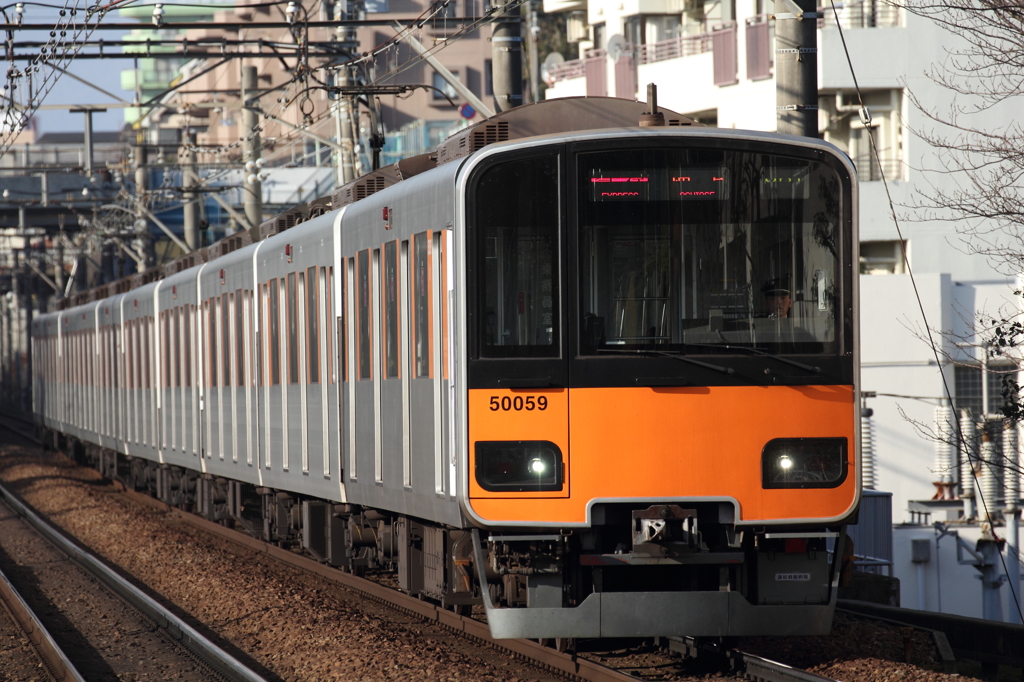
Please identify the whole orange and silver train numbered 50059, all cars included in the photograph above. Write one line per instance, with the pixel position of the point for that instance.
(601, 378)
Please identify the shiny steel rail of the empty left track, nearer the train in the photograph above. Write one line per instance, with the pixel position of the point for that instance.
(211, 655)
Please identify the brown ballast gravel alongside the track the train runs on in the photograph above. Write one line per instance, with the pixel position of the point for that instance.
(302, 628)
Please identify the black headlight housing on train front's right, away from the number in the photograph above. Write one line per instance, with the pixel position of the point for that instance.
(804, 463)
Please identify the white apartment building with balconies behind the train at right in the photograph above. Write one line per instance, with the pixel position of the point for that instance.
(714, 62)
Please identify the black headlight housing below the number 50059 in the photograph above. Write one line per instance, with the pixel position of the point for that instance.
(519, 466)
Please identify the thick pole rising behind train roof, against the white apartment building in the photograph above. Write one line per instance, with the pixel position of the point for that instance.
(797, 68)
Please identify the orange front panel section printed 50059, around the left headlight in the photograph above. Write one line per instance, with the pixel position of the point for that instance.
(494, 416)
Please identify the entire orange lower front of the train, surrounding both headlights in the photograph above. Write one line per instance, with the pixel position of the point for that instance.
(674, 443)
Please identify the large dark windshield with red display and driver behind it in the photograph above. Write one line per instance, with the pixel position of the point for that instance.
(699, 251)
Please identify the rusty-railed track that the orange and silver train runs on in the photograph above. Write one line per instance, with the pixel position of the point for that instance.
(569, 665)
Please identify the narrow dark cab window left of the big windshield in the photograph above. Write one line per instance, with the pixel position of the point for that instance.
(517, 230)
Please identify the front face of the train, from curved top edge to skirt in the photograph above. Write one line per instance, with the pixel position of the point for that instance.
(661, 419)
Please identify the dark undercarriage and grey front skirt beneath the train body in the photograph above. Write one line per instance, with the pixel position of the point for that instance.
(689, 569)
